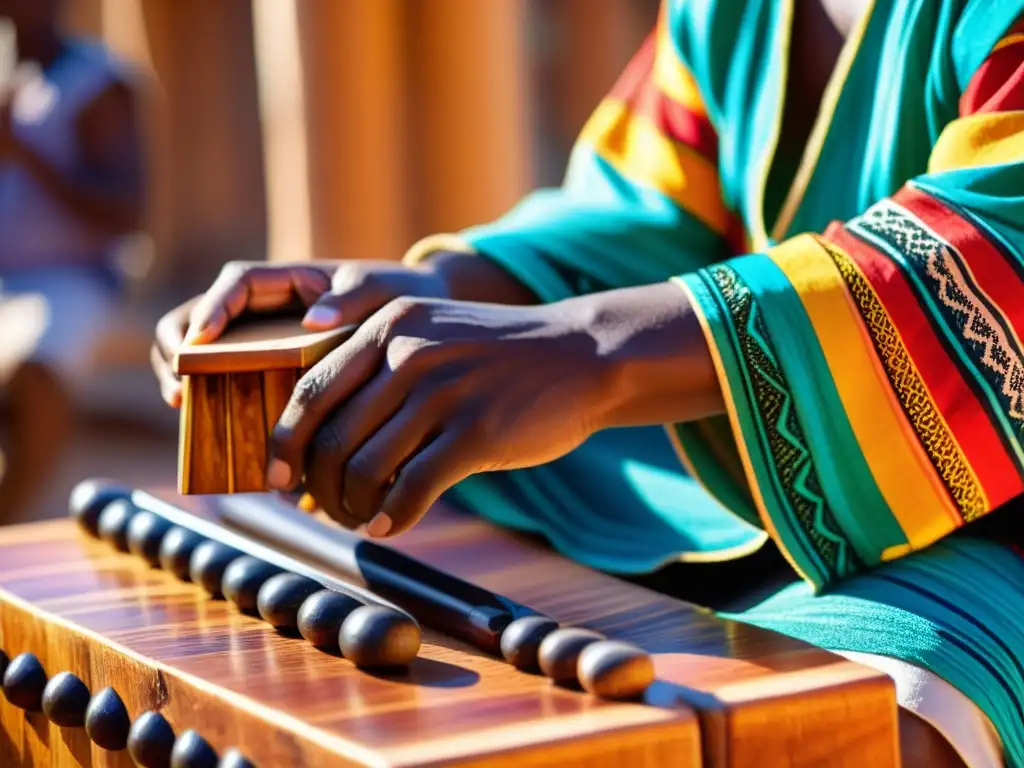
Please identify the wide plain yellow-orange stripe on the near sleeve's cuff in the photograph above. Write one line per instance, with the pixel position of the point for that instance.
(902, 470)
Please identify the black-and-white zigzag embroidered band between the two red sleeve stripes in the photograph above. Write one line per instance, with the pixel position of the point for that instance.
(962, 304)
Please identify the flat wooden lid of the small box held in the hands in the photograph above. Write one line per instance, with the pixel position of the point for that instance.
(260, 347)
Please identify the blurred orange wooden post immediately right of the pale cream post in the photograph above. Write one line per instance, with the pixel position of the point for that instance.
(354, 68)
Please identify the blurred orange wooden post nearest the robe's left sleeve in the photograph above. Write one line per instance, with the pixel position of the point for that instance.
(472, 124)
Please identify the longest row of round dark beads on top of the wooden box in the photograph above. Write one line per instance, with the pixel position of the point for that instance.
(371, 636)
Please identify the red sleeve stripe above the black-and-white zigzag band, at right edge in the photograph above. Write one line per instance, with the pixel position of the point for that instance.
(989, 266)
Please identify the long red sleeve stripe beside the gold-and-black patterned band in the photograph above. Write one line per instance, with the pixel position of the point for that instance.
(964, 414)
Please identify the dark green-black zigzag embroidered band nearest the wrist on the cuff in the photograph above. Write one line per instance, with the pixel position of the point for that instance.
(776, 416)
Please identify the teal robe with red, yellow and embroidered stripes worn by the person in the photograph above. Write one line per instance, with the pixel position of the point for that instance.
(868, 339)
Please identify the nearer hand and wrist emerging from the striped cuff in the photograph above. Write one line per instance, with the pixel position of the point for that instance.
(429, 393)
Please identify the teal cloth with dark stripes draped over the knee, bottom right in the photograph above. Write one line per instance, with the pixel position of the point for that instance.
(927, 610)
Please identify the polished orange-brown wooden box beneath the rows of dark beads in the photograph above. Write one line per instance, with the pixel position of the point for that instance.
(740, 696)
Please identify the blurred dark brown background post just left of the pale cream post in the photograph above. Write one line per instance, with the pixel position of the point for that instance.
(203, 57)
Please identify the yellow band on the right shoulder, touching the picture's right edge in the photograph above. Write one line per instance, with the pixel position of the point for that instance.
(987, 139)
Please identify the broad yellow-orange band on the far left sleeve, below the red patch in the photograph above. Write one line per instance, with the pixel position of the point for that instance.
(634, 147)
